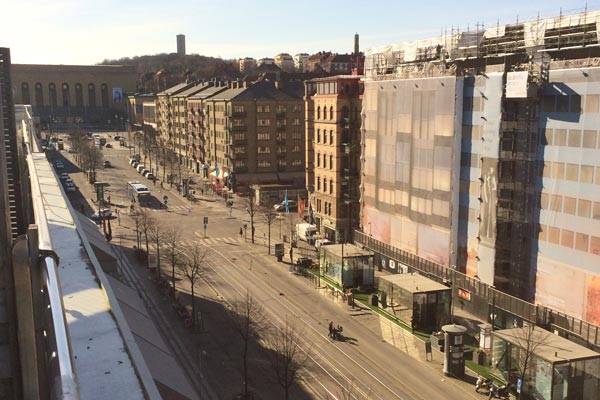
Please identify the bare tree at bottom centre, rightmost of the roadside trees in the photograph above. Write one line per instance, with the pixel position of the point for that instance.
(286, 358)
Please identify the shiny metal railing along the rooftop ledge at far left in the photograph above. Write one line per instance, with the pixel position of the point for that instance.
(59, 361)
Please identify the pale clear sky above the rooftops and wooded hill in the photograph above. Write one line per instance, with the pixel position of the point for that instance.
(85, 32)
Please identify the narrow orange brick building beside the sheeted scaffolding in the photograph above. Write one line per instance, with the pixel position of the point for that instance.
(333, 107)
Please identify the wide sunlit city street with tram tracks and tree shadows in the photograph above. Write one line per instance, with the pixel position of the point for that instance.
(363, 366)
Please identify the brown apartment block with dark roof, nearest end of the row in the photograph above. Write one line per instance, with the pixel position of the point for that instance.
(255, 133)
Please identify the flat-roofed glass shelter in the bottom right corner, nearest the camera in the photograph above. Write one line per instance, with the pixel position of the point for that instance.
(556, 368)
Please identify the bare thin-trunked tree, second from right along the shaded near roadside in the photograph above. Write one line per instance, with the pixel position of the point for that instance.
(249, 321)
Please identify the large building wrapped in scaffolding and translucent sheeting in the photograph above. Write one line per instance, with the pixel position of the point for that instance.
(481, 155)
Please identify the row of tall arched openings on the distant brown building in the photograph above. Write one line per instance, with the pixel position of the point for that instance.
(66, 95)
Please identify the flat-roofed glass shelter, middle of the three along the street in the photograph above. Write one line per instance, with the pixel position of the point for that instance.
(416, 299)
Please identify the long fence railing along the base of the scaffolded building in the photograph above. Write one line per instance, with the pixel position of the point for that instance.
(570, 326)
